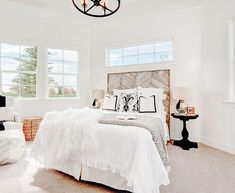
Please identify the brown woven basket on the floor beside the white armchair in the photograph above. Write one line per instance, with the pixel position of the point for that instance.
(30, 127)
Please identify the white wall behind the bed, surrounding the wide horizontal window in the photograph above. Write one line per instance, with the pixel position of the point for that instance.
(183, 26)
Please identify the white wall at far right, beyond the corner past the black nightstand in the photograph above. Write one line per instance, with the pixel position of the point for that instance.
(218, 116)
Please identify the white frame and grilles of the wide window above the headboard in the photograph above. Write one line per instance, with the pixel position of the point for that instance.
(146, 43)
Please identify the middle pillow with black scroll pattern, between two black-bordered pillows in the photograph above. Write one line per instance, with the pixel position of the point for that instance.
(128, 103)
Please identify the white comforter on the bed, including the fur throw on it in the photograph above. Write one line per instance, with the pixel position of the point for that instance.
(71, 139)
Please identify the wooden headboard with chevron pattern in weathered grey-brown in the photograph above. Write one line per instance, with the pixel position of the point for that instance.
(155, 79)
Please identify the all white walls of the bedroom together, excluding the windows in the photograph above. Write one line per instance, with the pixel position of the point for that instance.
(200, 36)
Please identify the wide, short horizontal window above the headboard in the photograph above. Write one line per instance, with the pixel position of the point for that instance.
(141, 54)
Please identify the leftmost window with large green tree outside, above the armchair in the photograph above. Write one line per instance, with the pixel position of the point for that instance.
(18, 66)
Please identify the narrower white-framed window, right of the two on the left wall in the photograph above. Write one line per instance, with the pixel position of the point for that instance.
(62, 73)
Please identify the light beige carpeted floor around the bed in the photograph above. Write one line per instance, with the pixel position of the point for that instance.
(203, 170)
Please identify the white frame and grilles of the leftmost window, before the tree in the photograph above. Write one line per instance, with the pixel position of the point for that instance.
(19, 72)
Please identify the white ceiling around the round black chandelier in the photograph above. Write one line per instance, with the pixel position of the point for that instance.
(64, 11)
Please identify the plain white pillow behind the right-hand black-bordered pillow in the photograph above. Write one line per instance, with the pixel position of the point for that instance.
(159, 96)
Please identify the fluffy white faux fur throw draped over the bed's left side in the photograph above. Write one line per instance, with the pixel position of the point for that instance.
(67, 133)
